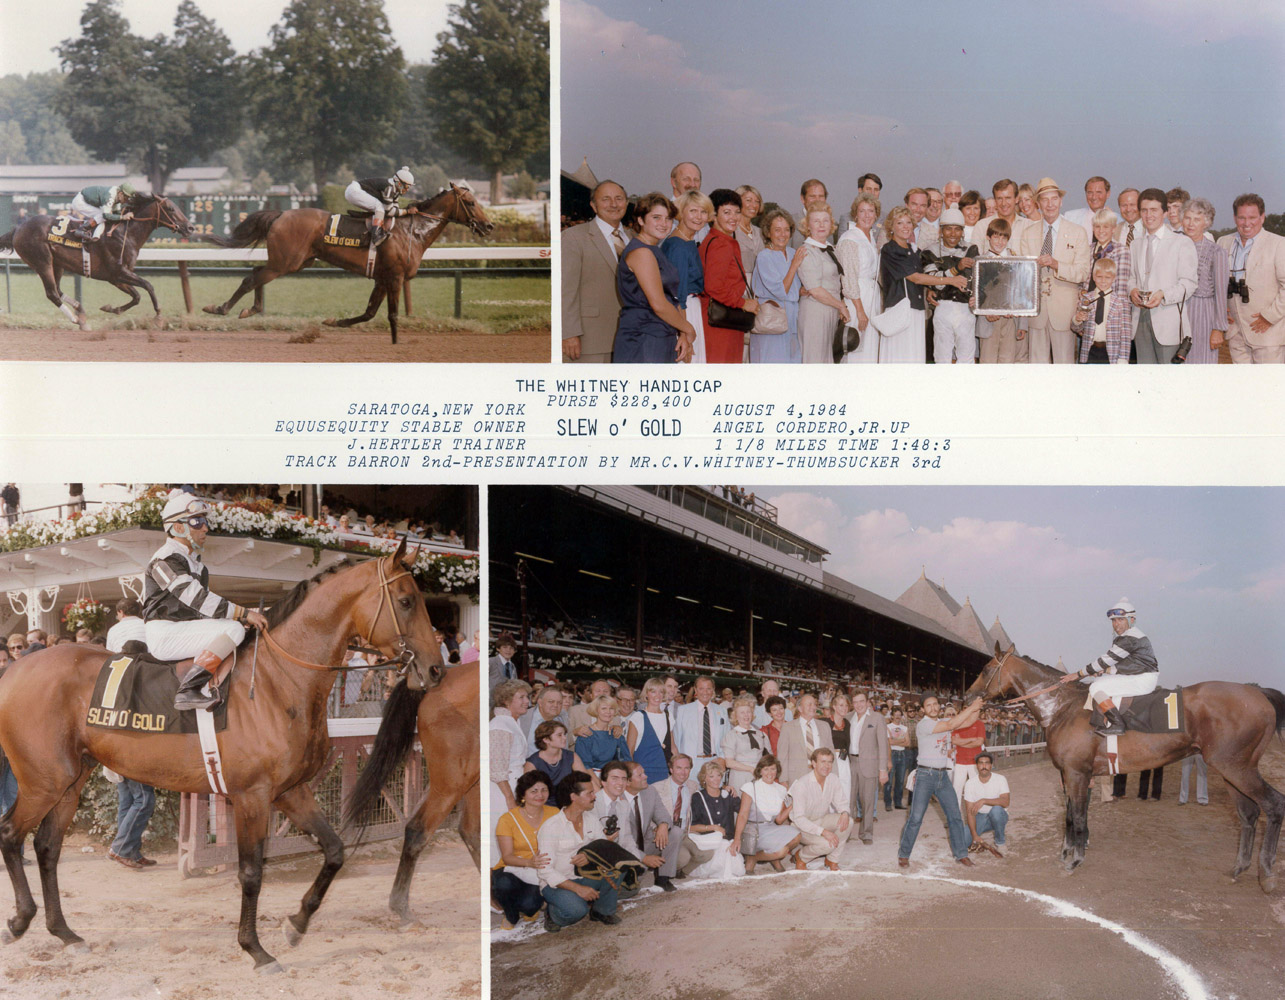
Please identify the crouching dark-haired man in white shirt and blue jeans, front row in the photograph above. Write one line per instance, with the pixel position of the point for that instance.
(561, 840)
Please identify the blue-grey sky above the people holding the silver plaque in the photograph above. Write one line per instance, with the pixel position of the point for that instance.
(1144, 93)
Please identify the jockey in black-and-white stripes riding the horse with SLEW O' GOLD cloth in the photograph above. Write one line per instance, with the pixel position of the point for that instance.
(184, 619)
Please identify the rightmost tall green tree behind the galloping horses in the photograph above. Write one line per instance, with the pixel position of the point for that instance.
(489, 85)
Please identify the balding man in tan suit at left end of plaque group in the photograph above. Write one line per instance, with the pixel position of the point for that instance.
(590, 253)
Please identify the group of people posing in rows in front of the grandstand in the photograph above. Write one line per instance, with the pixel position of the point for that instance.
(695, 783)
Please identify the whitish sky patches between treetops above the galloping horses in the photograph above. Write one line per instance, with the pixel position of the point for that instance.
(28, 43)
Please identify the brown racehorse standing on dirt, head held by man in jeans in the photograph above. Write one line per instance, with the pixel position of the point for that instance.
(1230, 724)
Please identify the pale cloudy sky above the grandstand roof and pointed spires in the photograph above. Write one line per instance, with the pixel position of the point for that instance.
(1205, 567)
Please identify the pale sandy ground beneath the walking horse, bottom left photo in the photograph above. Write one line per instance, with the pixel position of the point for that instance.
(154, 935)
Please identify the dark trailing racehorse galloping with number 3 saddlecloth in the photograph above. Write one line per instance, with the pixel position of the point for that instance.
(112, 259)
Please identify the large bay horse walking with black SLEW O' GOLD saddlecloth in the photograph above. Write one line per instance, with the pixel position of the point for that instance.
(274, 744)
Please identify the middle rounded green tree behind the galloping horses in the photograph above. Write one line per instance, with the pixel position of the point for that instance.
(331, 87)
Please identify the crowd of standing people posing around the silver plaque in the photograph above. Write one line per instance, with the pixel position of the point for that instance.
(851, 289)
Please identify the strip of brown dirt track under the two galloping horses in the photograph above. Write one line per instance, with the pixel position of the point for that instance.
(313, 343)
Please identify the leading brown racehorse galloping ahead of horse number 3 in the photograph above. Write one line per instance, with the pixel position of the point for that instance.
(296, 238)
